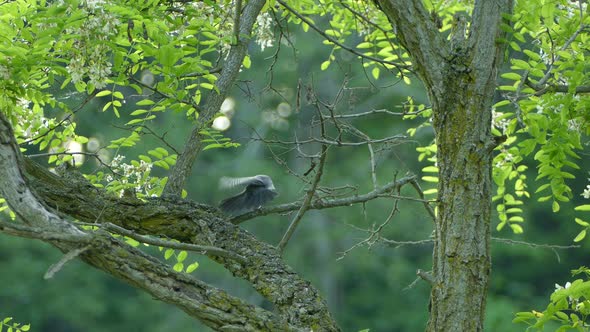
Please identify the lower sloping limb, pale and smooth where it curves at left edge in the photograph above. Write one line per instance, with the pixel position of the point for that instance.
(212, 306)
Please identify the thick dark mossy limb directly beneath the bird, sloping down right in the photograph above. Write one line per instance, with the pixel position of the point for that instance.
(296, 300)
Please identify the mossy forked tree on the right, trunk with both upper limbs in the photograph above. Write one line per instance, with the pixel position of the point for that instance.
(460, 78)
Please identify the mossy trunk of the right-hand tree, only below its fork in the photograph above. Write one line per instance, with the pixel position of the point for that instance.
(461, 258)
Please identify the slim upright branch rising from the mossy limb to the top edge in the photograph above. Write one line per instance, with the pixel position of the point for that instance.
(227, 77)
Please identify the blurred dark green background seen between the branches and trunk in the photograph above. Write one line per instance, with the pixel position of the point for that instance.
(366, 288)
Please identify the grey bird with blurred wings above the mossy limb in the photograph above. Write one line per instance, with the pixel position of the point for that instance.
(258, 190)
